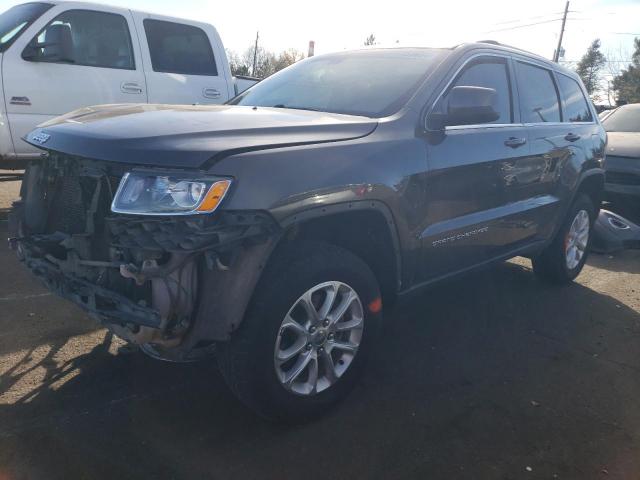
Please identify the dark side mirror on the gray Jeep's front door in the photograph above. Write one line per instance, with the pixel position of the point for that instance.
(467, 105)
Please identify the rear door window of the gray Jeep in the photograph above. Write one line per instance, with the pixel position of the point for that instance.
(539, 100)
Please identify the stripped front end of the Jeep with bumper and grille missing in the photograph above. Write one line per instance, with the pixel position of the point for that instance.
(173, 284)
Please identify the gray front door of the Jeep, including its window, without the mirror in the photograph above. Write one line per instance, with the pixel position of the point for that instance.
(467, 221)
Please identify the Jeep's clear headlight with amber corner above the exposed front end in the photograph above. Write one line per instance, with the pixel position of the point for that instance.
(152, 194)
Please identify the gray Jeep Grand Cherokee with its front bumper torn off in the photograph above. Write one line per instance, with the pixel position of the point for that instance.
(274, 231)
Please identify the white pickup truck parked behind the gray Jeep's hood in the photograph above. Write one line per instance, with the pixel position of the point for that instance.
(56, 57)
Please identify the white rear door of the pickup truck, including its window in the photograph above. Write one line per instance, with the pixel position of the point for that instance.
(184, 61)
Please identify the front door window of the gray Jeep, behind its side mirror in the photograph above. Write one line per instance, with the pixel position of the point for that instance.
(486, 73)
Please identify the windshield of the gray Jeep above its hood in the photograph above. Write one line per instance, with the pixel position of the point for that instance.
(371, 83)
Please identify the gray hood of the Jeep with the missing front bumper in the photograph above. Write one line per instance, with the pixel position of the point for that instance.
(189, 136)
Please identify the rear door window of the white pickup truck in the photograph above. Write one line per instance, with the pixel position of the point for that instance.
(179, 48)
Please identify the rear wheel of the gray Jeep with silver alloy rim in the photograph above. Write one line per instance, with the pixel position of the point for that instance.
(563, 259)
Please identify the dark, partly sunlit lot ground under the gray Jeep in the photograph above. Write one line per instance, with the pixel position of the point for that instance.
(492, 376)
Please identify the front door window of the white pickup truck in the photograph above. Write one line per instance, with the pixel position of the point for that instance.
(86, 38)
